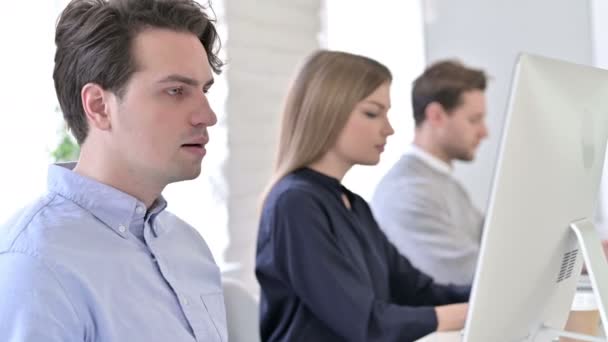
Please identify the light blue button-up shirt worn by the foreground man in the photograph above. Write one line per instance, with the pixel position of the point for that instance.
(87, 262)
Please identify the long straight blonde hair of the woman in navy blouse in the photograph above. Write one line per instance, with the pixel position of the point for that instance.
(324, 93)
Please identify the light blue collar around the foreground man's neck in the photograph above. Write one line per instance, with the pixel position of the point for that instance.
(113, 207)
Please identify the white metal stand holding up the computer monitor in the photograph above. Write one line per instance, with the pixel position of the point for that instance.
(597, 268)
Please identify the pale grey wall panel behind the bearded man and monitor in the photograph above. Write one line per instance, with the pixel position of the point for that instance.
(490, 34)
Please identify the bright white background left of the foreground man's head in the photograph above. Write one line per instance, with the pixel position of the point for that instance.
(29, 126)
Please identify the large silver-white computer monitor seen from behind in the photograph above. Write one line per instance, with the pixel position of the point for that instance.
(547, 178)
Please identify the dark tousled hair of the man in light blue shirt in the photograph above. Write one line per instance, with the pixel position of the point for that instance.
(94, 45)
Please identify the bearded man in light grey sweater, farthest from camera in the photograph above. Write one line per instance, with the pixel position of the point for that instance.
(420, 206)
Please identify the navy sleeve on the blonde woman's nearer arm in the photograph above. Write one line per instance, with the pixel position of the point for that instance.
(308, 256)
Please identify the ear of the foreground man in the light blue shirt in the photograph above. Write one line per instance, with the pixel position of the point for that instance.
(96, 103)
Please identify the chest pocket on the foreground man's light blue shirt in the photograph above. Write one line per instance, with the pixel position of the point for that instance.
(207, 318)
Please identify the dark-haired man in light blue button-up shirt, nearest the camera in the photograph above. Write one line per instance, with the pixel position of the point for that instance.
(97, 257)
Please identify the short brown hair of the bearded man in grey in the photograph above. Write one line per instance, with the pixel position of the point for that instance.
(444, 82)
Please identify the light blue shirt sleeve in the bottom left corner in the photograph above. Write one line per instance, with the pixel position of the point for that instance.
(33, 305)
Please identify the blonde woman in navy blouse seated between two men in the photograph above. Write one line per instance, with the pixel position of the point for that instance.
(327, 272)
